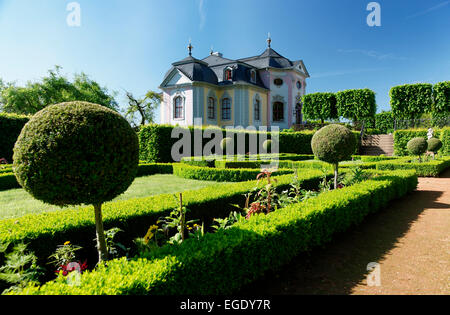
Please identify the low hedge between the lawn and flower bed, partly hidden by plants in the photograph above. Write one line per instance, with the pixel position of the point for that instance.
(44, 232)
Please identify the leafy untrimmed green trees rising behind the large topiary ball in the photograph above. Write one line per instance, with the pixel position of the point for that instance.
(52, 89)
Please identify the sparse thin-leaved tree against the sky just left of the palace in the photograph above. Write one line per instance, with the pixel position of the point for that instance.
(145, 107)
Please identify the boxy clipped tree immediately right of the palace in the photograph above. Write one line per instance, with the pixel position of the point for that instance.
(320, 106)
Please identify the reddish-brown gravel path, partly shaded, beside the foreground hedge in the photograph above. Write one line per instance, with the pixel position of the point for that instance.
(410, 241)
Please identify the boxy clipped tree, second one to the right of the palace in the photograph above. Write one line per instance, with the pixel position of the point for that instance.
(357, 105)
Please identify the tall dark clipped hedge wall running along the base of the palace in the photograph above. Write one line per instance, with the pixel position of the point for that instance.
(156, 142)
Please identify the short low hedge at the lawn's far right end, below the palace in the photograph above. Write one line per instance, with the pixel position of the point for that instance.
(220, 175)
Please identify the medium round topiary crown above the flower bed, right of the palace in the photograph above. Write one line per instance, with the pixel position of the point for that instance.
(333, 144)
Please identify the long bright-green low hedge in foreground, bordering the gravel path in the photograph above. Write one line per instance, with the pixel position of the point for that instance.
(245, 251)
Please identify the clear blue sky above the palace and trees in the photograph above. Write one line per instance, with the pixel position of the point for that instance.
(129, 45)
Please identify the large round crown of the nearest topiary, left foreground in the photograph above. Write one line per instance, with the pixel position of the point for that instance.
(76, 153)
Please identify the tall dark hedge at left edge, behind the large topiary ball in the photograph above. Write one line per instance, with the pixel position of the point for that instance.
(10, 127)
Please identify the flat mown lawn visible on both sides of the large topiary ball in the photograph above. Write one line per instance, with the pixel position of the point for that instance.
(17, 202)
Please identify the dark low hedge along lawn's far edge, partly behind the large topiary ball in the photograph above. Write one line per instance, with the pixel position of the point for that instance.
(8, 179)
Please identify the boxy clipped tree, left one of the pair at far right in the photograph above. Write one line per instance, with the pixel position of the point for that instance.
(410, 101)
